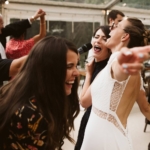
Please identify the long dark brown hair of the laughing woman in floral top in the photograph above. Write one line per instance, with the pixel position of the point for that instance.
(43, 76)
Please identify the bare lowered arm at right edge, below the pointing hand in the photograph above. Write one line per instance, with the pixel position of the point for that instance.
(143, 104)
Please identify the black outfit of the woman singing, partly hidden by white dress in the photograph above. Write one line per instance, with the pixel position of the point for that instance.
(97, 68)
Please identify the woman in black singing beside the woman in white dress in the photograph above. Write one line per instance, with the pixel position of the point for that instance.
(101, 55)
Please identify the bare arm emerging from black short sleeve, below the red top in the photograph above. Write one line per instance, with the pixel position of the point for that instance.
(16, 65)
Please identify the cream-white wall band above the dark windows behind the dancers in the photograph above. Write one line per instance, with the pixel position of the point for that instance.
(57, 11)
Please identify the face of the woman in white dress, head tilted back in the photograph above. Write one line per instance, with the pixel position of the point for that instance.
(118, 35)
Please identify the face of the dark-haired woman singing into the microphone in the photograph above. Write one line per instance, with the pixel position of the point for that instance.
(100, 51)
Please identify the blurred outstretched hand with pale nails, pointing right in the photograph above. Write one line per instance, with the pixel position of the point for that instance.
(131, 60)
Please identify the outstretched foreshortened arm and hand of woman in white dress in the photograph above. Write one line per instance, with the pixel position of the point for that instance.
(129, 62)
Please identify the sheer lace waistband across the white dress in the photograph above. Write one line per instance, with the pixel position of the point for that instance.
(107, 116)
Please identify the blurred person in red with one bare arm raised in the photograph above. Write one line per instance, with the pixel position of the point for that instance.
(17, 46)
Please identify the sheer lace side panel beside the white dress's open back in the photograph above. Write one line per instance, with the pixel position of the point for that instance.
(116, 95)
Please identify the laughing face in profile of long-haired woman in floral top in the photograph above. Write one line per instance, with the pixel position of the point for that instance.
(72, 72)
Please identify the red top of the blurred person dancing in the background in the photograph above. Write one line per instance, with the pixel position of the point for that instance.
(18, 48)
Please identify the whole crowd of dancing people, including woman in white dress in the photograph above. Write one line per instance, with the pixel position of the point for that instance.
(39, 102)
